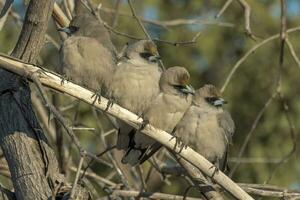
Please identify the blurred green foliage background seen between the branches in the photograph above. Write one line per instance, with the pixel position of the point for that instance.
(210, 60)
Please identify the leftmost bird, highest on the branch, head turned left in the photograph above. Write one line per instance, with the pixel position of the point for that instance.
(87, 56)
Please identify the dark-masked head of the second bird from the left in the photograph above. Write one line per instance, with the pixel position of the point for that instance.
(144, 50)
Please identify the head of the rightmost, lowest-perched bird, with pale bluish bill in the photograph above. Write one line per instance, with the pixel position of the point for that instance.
(209, 94)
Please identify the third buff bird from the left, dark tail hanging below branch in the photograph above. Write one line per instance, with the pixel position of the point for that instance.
(164, 113)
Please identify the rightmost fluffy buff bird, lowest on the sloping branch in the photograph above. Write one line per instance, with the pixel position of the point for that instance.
(206, 127)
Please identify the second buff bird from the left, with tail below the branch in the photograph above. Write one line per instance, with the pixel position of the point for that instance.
(135, 83)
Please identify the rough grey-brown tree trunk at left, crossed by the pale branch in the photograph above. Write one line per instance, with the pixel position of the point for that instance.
(31, 160)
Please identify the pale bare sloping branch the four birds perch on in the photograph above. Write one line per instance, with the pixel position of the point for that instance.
(53, 81)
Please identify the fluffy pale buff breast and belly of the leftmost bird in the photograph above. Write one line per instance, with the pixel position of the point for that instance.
(86, 62)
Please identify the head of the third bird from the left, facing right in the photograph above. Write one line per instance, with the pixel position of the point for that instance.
(175, 80)
